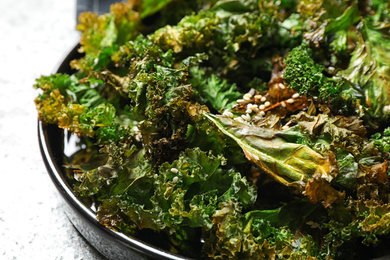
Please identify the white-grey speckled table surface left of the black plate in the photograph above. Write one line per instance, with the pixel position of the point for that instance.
(34, 36)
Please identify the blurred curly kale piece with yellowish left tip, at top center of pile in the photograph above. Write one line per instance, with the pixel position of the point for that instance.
(229, 39)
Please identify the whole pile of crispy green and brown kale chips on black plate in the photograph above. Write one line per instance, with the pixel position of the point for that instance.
(234, 129)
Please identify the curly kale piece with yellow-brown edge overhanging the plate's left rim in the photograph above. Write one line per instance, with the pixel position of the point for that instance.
(74, 105)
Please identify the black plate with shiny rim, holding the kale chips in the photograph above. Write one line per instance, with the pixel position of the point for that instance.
(112, 244)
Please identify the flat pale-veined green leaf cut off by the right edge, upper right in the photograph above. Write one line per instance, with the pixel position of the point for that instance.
(370, 69)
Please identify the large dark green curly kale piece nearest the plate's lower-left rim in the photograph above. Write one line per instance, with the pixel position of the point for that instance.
(177, 199)
